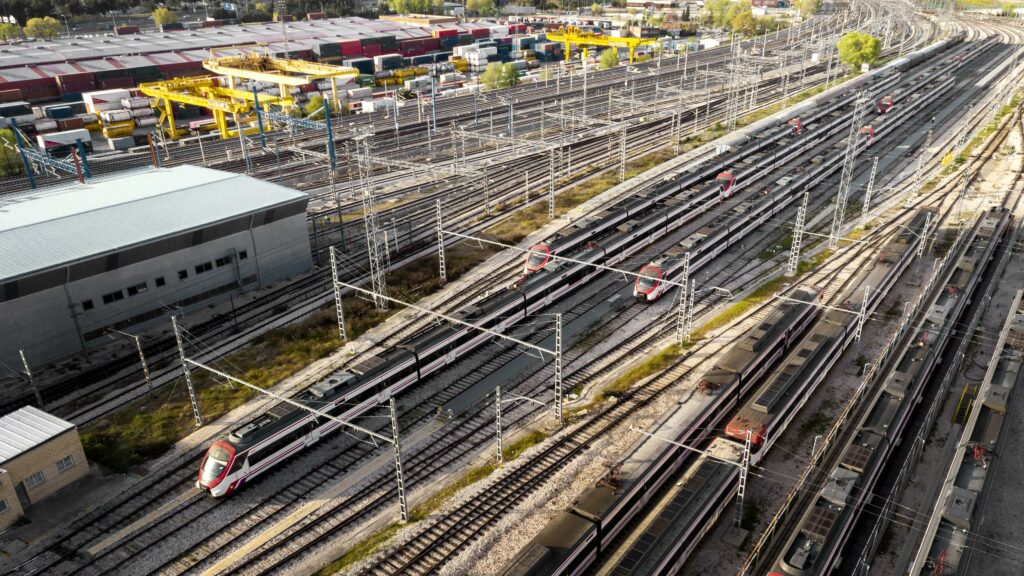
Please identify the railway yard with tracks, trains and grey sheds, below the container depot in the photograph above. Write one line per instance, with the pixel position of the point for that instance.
(746, 310)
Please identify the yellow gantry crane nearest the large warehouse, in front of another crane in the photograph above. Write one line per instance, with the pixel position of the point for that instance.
(206, 92)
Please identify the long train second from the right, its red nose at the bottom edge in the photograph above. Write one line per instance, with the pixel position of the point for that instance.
(815, 546)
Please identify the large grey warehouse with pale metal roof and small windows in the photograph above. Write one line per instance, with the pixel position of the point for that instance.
(125, 252)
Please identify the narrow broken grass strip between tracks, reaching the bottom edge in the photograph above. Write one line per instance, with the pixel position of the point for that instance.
(370, 546)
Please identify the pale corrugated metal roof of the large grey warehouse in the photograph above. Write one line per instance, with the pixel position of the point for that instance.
(61, 226)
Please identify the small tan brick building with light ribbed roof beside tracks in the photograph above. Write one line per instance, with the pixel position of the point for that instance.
(39, 456)
